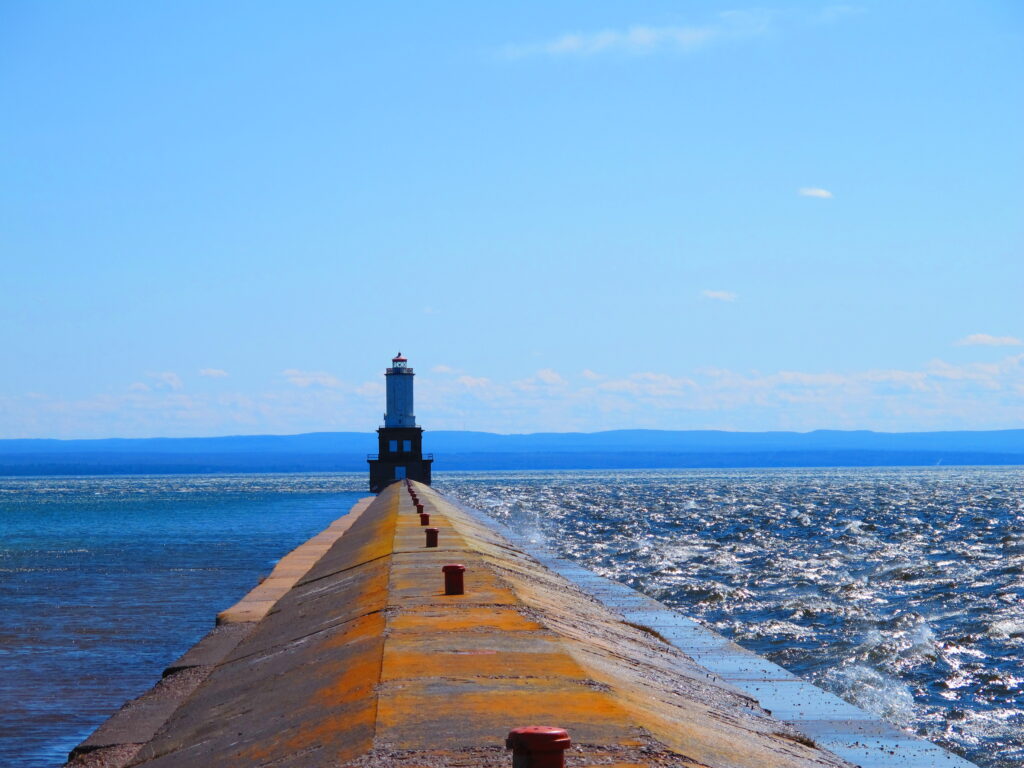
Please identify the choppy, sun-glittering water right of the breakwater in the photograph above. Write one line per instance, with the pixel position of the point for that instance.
(901, 590)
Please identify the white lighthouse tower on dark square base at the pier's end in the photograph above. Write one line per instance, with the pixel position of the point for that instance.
(400, 441)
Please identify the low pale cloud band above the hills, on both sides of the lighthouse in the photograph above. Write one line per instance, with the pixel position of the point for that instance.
(940, 396)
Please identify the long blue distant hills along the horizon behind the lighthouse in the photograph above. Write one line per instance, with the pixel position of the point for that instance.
(321, 452)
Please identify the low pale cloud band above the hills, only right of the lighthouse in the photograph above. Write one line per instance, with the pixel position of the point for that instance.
(941, 396)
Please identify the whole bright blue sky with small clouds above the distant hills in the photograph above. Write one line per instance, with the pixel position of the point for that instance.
(225, 219)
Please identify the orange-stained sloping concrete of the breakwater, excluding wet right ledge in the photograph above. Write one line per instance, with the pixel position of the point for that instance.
(365, 653)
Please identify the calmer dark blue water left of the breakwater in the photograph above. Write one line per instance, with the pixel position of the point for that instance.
(105, 581)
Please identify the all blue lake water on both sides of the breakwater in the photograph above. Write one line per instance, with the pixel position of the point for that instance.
(901, 590)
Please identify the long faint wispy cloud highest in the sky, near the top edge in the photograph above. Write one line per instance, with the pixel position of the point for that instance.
(641, 39)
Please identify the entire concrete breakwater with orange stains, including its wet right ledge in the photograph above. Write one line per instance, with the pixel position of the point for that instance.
(352, 654)
